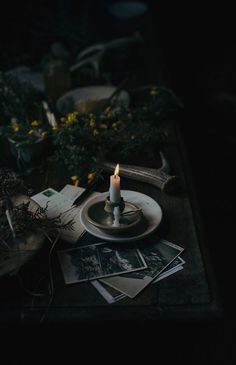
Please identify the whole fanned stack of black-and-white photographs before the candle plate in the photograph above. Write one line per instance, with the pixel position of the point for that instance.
(120, 270)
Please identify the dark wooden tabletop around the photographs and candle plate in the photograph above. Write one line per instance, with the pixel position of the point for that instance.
(190, 294)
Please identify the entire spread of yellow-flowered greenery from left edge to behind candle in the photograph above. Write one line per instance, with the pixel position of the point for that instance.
(83, 141)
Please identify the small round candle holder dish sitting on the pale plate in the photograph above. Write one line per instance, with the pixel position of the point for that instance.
(101, 215)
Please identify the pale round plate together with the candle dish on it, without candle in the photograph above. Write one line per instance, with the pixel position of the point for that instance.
(144, 213)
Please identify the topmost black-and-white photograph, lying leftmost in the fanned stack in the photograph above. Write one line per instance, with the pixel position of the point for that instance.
(99, 260)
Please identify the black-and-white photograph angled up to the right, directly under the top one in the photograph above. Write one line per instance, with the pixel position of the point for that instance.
(157, 257)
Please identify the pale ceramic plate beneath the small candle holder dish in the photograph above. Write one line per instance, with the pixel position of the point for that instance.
(151, 210)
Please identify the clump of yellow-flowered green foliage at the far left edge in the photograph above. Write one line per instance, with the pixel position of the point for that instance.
(22, 116)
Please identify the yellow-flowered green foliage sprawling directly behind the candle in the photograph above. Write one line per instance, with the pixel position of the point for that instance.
(83, 141)
